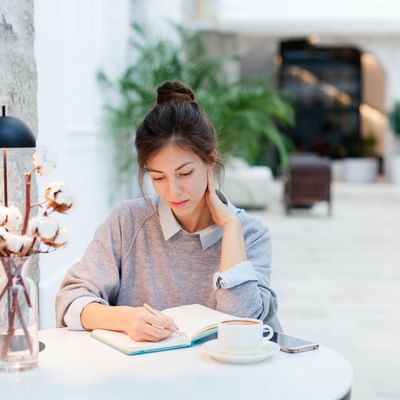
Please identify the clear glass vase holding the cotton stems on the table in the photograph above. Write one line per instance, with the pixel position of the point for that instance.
(19, 317)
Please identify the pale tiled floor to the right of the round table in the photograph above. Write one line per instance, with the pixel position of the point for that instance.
(338, 279)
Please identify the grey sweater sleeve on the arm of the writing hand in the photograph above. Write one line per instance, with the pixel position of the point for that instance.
(97, 274)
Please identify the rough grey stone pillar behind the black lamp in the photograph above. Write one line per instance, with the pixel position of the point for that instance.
(18, 88)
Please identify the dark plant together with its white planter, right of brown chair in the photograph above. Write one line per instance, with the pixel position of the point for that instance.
(361, 163)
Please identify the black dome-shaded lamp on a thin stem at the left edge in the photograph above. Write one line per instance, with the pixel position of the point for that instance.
(13, 133)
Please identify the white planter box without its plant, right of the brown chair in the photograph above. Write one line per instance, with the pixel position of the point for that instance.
(362, 170)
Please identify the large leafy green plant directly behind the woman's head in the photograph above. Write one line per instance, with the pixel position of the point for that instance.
(246, 114)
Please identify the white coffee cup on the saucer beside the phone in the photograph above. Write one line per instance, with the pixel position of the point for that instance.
(243, 336)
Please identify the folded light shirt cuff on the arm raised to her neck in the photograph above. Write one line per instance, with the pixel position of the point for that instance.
(238, 274)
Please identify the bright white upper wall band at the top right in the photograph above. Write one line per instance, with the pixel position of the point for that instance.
(308, 16)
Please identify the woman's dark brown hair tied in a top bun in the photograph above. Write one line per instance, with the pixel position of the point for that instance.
(175, 119)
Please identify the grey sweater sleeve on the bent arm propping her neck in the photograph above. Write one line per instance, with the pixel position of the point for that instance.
(251, 298)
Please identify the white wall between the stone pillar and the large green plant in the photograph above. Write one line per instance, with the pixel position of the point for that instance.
(73, 39)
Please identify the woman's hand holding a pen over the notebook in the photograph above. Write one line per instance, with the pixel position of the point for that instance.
(143, 326)
